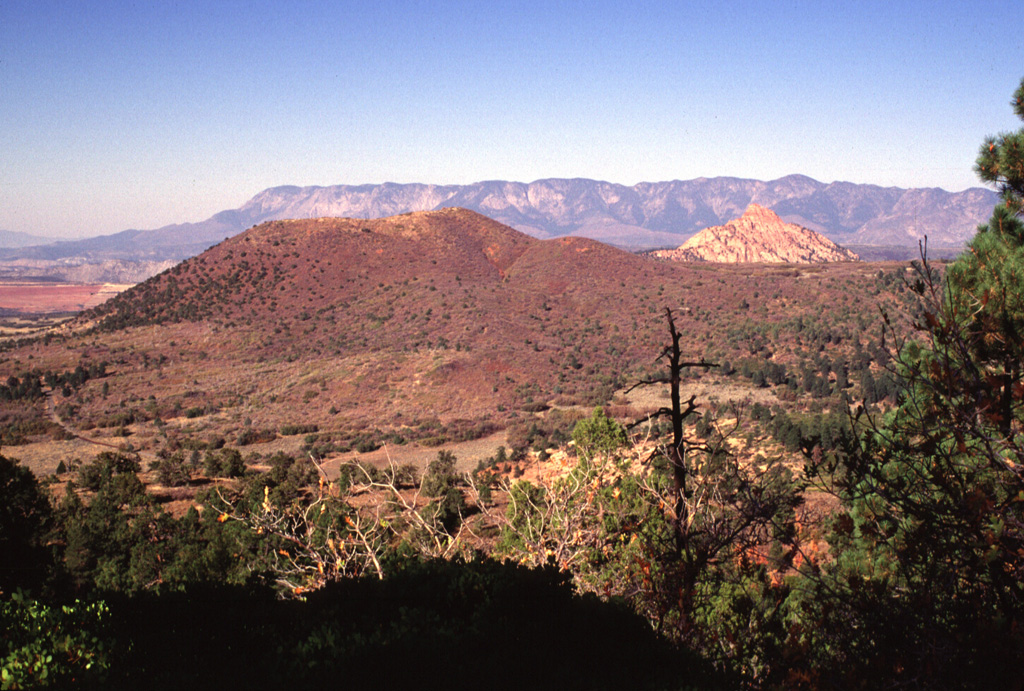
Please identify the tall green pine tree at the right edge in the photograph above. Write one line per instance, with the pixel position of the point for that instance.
(930, 546)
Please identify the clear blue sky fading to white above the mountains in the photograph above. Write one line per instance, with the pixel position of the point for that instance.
(136, 115)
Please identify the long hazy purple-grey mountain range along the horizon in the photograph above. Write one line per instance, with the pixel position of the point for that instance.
(644, 217)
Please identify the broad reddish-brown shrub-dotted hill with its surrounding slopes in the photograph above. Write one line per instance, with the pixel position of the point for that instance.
(438, 328)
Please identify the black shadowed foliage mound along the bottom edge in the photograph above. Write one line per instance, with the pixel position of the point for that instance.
(431, 625)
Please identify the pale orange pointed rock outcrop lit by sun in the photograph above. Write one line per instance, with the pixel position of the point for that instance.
(759, 236)
